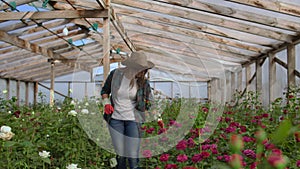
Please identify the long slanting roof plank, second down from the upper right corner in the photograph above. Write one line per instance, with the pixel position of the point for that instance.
(225, 9)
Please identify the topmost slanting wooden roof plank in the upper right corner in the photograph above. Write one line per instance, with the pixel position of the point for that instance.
(274, 5)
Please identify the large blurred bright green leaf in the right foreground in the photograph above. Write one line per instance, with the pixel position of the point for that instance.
(282, 132)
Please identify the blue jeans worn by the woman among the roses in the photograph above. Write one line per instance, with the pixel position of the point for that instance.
(126, 142)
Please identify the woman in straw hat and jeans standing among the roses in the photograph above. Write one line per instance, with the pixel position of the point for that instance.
(126, 96)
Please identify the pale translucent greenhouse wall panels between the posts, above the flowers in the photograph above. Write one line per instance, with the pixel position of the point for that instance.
(82, 84)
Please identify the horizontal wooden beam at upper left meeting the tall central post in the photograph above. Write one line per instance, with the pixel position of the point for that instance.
(61, 14)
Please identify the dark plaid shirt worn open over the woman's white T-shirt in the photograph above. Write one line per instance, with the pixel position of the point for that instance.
(143, 95)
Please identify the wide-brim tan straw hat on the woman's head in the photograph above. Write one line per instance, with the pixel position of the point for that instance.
(138, 60)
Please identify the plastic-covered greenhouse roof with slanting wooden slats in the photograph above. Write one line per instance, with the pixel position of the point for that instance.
(186, 39)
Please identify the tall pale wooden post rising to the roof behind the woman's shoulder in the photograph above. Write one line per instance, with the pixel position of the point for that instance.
(106, 44)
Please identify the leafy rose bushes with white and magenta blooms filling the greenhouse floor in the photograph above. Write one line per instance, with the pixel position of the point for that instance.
(247, 136)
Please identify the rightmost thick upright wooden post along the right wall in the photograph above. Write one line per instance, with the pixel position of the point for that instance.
(291, 60)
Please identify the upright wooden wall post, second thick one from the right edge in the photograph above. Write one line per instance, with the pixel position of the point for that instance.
(272, 77)
